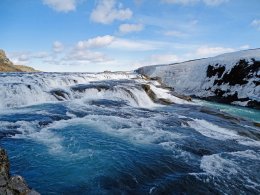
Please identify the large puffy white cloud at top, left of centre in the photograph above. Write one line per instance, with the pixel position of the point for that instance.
(108, 10)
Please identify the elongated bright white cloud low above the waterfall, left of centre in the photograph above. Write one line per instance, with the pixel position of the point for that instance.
(97, 42)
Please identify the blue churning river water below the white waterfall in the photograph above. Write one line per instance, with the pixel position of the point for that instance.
(109, 147)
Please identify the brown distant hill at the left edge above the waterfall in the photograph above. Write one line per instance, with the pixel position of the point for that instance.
(7, 66)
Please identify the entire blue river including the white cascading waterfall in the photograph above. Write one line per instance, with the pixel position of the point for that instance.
(118, 133)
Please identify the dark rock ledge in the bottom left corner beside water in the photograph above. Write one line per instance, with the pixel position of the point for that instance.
(14, 185)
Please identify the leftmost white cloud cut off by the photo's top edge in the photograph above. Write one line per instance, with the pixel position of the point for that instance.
(61, 5)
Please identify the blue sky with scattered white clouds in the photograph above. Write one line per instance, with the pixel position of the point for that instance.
(98, 35)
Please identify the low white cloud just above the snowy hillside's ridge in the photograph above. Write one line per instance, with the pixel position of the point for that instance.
(206, 51)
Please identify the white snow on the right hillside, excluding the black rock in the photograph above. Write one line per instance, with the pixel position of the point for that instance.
(190, 78)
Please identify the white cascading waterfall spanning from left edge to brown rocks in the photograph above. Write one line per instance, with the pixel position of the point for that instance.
(26, 89)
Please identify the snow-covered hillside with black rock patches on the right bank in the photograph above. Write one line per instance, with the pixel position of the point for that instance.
(228, 78)
